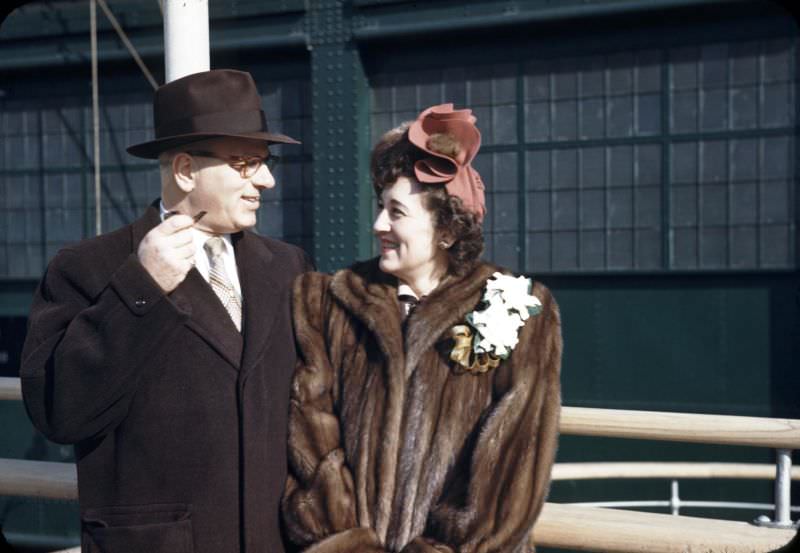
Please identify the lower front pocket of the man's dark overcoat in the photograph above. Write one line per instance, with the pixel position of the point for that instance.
(151, 528)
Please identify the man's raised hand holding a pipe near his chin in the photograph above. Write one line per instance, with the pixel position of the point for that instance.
(167, 251)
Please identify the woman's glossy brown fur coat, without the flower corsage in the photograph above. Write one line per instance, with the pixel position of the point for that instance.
(392, 449)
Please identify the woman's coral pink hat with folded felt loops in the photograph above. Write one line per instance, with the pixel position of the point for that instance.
(455, 170)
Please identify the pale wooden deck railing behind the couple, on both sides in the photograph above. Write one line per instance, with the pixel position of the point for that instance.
(577, 527)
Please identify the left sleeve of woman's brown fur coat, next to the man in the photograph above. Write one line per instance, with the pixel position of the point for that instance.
(319, 502)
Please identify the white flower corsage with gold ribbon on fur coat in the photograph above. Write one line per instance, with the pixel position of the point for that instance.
(492, 331)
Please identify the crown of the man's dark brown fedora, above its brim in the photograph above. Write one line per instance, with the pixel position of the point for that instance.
(215, 91)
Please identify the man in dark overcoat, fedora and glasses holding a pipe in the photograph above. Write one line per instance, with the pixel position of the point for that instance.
(164, 350)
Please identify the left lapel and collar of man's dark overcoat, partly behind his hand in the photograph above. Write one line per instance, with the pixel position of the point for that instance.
(207, 316)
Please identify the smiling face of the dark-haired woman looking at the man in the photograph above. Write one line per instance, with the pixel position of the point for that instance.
(407, 234)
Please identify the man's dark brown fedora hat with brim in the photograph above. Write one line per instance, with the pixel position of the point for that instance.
(211, 104)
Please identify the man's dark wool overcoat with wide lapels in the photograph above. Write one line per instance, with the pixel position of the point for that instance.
(178, 420)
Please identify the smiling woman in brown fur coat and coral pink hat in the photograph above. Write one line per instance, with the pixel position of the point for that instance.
(429, 428)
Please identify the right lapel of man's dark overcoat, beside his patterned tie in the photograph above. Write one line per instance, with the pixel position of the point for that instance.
(261, 293)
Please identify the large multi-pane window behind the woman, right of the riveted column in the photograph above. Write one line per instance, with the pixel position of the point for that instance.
(656, 159)
